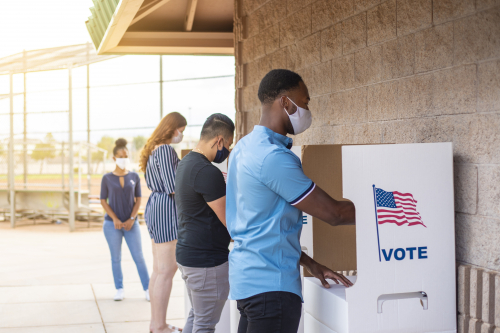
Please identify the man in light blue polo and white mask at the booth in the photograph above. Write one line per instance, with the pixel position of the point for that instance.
(267, 192)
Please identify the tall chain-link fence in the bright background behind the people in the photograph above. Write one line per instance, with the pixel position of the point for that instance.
(77, 97)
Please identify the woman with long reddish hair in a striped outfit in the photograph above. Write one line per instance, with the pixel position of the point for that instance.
(159, 162)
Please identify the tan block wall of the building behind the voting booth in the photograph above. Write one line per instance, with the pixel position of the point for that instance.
(396, 71)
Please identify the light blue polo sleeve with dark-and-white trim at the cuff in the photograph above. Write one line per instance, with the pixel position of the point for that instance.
(282, 173)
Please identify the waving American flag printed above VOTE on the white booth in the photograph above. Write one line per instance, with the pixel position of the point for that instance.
(398, 208)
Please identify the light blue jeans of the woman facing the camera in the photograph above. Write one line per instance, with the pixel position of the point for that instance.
(133, 239)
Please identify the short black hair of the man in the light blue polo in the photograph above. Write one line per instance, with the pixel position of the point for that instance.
(277, 82)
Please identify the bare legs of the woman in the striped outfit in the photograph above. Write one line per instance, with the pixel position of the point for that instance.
(166, 266)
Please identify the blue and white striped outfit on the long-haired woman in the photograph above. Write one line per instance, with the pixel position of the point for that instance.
(161, 214)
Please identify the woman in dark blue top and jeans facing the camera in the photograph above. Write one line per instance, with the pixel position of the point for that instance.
(121, 199)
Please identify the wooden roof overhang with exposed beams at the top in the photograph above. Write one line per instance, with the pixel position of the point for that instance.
(203, 27)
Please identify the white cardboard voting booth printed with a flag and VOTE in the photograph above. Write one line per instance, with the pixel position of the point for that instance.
(404, 239)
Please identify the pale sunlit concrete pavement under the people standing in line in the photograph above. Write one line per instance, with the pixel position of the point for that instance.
(55, 281)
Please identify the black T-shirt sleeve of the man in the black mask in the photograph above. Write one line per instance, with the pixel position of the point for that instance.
(209, 182)
